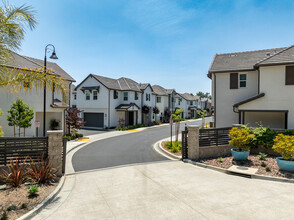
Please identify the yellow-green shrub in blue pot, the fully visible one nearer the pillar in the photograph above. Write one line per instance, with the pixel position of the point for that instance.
(240, 140)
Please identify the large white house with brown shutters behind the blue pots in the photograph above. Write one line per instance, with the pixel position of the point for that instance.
(254, 87)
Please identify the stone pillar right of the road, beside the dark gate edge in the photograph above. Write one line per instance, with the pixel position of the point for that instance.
(193, 142)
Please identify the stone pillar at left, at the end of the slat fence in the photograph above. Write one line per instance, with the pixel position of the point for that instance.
(55, 148)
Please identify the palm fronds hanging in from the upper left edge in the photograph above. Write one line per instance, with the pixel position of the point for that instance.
(13, 23)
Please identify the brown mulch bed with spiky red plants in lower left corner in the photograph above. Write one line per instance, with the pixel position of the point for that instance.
(18, 196)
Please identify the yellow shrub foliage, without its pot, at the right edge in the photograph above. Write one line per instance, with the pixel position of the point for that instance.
(284, 144)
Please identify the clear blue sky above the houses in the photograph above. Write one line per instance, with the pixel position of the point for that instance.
(165, 42)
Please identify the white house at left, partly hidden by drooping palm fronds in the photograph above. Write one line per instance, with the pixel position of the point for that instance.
(55, 107)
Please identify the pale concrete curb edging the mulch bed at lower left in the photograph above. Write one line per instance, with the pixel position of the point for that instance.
(44, 203)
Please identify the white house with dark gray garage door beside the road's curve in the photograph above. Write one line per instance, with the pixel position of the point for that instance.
(104, 101)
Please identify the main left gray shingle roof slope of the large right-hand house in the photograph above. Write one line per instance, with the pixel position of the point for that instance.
(241, 60)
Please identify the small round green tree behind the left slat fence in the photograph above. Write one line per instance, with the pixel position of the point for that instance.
(20, 115)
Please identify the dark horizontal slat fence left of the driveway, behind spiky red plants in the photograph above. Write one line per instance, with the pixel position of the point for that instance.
(11, 148)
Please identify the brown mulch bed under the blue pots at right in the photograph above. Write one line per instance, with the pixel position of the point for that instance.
(253, 162)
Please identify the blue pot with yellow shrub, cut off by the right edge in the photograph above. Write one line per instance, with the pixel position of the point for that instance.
(284, 144)
